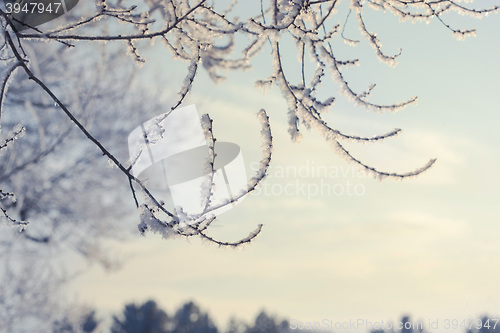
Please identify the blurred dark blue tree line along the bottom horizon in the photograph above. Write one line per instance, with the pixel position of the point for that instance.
(149, 317)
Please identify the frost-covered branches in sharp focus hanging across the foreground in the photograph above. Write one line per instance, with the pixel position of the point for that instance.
(204, 36)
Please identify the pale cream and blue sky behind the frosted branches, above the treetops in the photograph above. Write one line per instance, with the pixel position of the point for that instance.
(426, 246)
